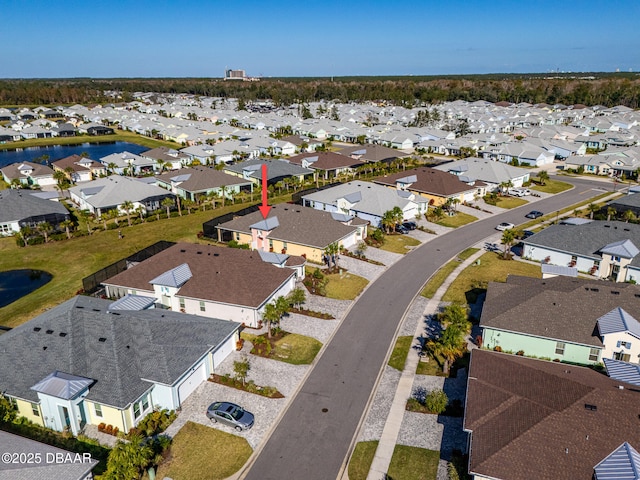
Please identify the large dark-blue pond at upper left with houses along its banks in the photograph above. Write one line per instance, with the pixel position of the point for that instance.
(55, 152)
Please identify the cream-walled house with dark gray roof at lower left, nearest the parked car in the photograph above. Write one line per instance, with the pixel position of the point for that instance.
(80, 363)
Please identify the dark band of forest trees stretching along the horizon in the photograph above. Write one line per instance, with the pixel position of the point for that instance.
(599, 89)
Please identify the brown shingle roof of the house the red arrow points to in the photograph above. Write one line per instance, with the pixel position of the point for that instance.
(299, 225)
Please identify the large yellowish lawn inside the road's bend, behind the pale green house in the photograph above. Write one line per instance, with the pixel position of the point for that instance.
(492, 268)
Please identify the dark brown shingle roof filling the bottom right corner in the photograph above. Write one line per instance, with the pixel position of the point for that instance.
(528, 418)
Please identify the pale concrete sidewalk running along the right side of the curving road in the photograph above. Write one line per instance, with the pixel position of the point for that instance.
(389, 438)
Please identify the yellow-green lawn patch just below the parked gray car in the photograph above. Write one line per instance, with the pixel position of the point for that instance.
(203, 453)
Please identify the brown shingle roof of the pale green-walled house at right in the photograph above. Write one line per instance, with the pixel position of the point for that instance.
(559, 308)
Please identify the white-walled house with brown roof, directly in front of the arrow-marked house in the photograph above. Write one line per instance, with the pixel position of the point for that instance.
(208, 281)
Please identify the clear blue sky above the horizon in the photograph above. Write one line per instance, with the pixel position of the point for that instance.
(187, 38)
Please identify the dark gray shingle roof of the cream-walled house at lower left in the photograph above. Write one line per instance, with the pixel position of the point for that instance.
(139, 347)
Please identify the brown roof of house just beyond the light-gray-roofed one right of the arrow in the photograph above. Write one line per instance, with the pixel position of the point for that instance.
(430, 180)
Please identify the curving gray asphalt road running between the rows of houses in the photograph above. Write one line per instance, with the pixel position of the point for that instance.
(314, 436)
